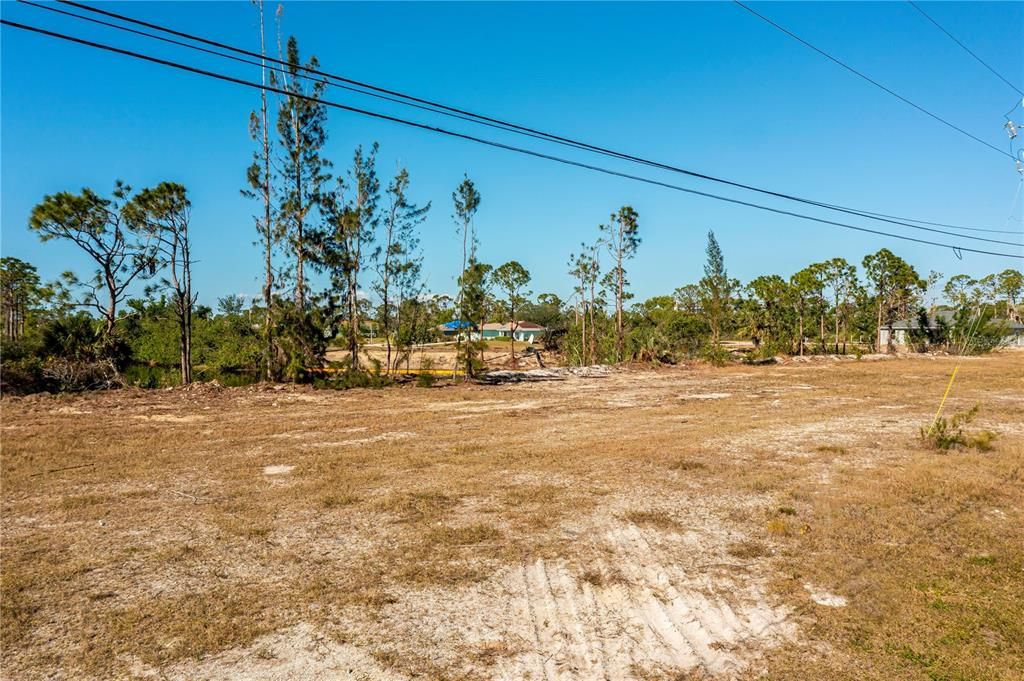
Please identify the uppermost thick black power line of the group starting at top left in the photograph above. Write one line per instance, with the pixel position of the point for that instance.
(426, 105)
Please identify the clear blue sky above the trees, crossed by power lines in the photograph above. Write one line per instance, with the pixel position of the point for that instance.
(703, 86)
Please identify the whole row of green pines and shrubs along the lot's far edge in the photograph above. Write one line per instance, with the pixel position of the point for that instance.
(358, 236)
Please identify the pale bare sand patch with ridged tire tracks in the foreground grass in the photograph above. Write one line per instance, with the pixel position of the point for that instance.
(658, 618)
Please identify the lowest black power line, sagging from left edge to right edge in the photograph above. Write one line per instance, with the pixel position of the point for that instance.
(489, 143)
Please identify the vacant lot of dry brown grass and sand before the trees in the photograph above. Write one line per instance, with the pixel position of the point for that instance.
(680, 524)
